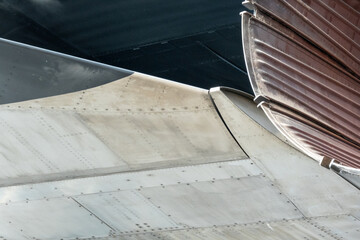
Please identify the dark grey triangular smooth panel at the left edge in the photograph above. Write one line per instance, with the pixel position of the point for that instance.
(28, 72)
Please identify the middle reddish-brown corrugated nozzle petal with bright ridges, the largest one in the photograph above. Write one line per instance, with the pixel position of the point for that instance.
(289, 73)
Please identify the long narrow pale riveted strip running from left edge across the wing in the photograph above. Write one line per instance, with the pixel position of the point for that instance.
(130, 181)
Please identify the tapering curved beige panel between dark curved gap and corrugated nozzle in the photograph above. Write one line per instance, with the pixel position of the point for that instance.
(314, 190)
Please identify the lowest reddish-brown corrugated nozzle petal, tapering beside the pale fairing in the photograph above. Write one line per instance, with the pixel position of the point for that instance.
(313, 137)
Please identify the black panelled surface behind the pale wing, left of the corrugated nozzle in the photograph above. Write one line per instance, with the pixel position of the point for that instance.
(197, 42)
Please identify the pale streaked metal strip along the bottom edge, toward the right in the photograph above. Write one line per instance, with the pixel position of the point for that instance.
(324, 228)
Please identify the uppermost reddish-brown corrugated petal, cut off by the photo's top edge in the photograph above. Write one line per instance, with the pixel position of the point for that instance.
(315, 28)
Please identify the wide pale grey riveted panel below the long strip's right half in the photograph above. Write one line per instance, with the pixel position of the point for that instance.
(205, 204)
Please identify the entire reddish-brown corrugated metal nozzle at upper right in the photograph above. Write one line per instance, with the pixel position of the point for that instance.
(312, 97)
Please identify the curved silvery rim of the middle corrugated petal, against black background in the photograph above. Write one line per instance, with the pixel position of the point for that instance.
(245, 21)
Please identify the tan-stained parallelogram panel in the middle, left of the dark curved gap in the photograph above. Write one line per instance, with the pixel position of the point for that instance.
(148, 138)
